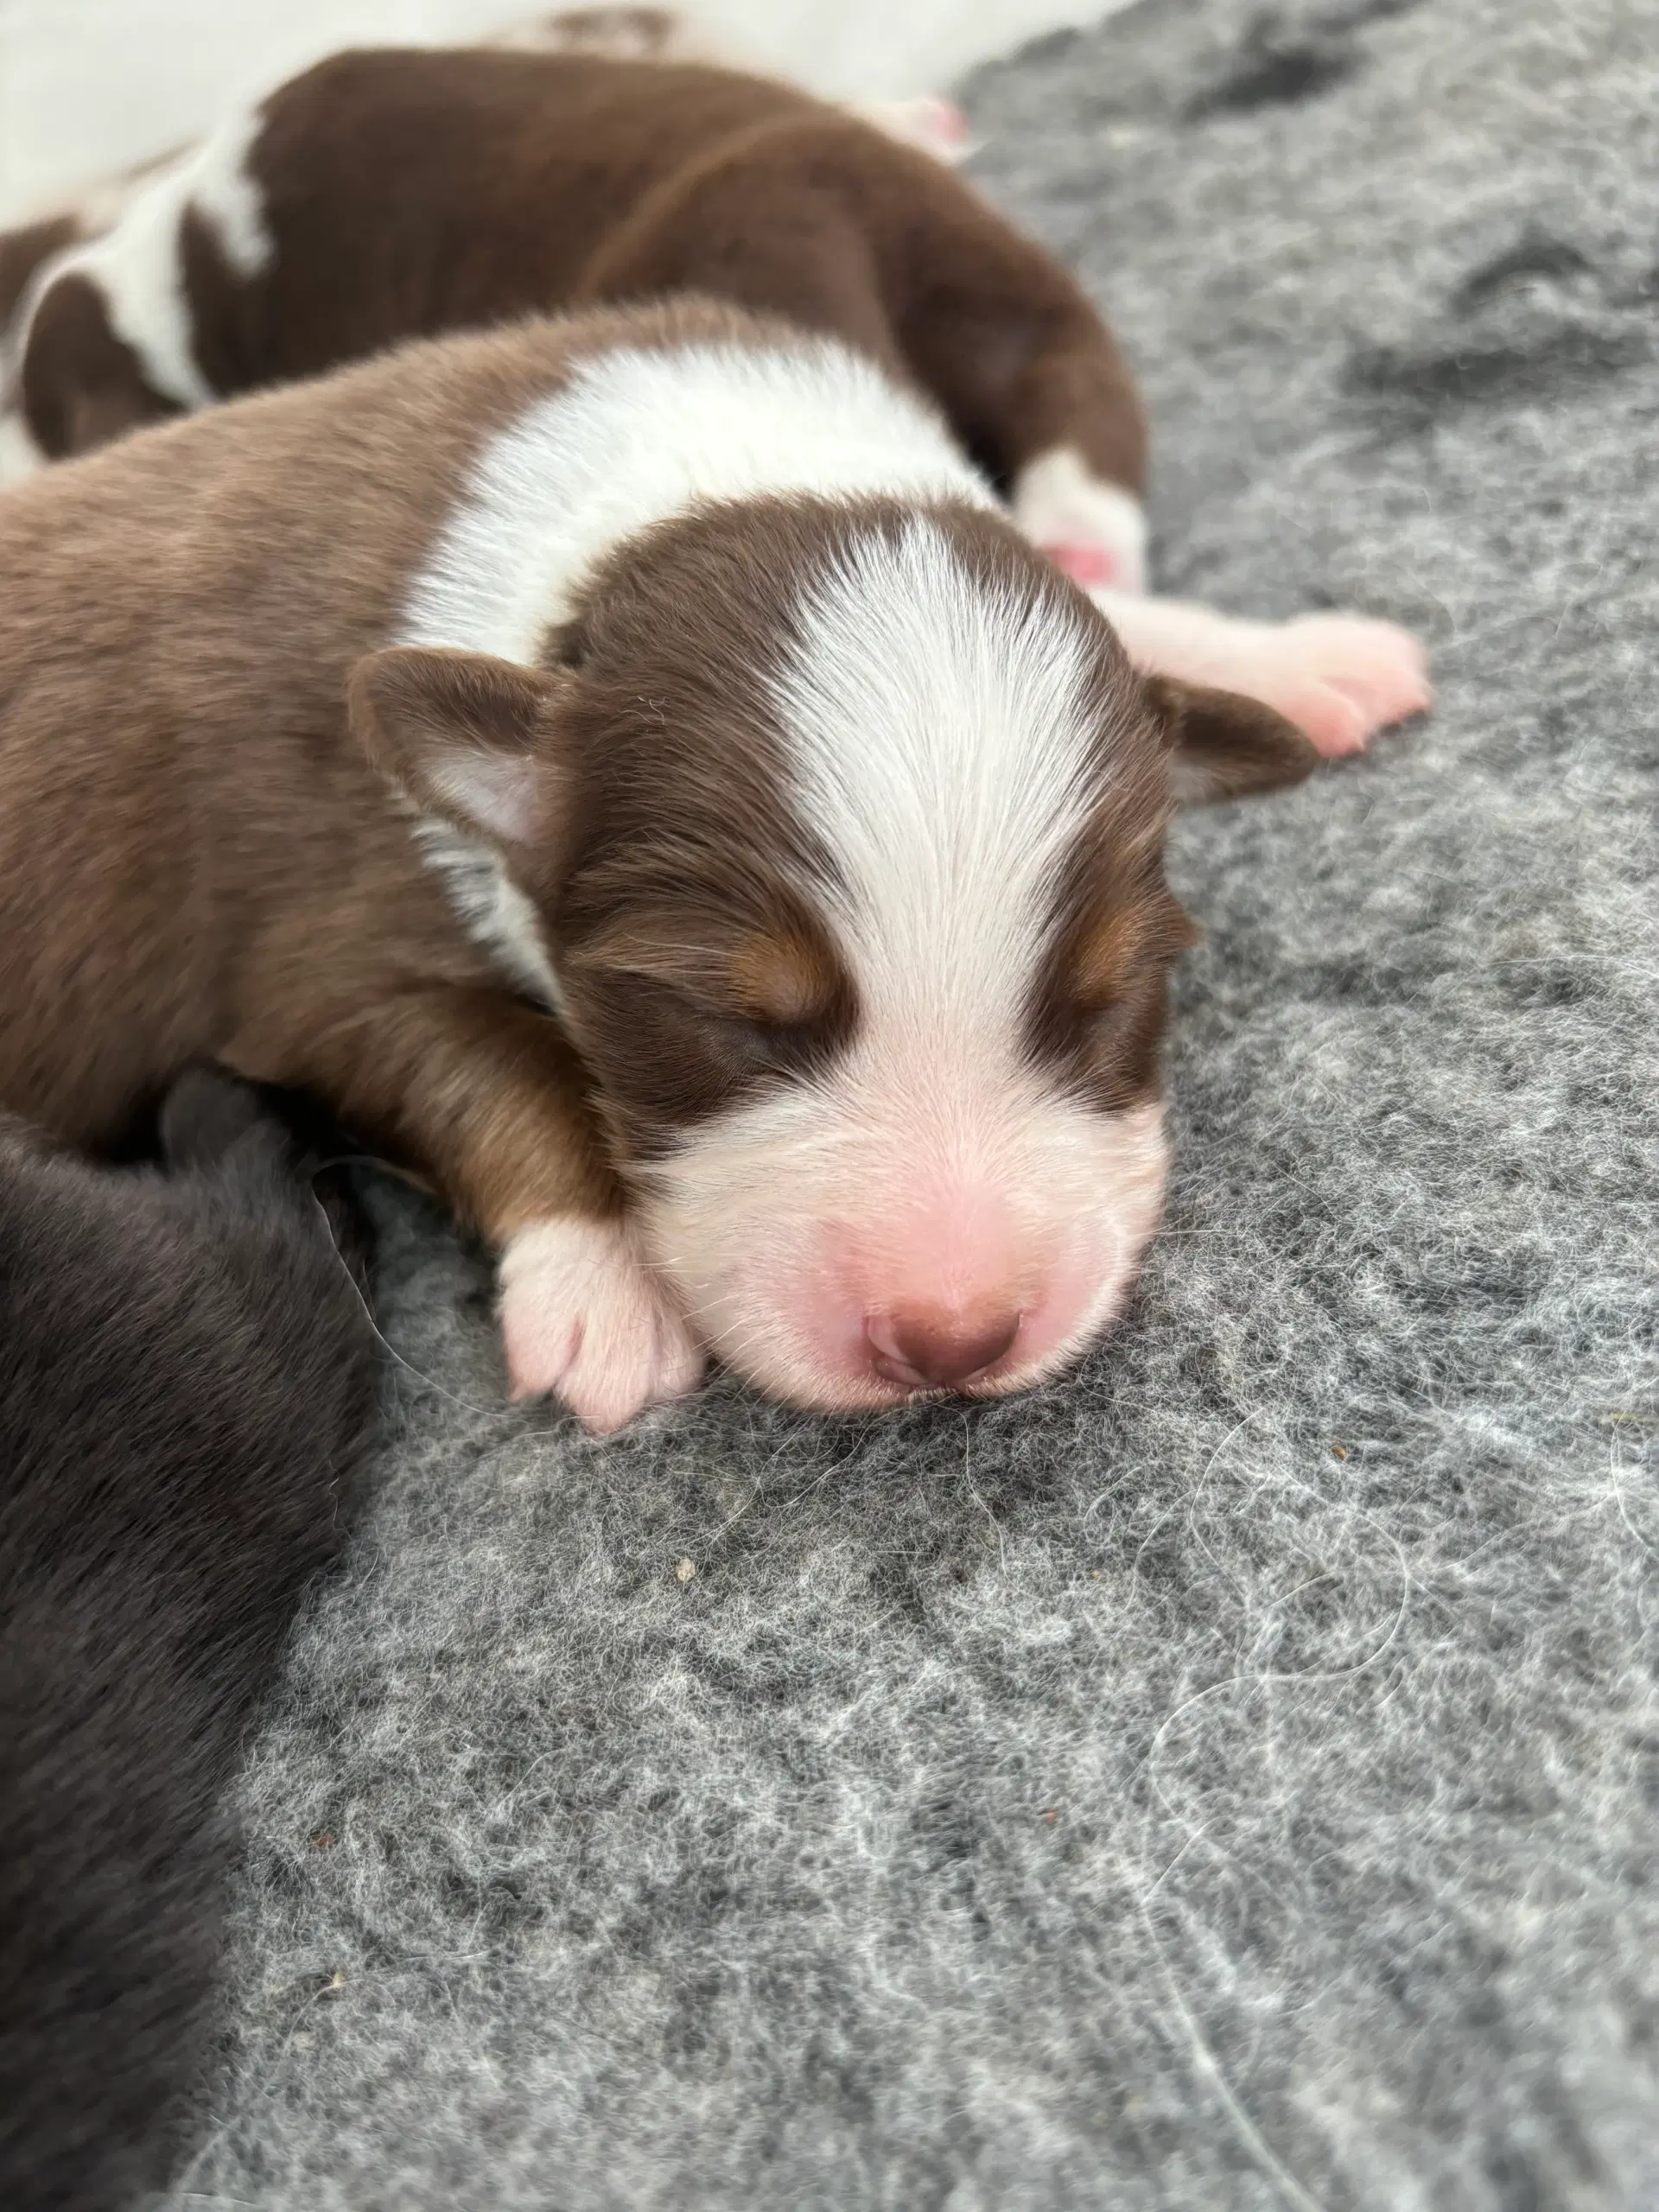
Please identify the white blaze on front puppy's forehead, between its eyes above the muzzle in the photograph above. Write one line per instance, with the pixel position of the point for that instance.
(941, 749)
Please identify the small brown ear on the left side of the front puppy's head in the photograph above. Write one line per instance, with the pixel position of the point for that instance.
(463, 735)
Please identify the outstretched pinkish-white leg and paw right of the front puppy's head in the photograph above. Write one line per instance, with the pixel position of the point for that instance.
(1339, 678)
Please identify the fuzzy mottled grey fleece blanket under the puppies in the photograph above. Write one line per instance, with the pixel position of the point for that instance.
(1227, 1780)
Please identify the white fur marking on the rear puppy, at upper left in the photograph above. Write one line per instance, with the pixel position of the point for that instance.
(138, 267)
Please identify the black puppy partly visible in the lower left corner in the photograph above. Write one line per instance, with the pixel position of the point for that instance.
(187, 1386)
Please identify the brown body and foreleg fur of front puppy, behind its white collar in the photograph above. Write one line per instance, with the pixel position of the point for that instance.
(194, 855)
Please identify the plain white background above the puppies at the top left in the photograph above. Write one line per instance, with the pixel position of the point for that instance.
(90, 85)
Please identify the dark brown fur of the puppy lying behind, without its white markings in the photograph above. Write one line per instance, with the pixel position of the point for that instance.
(413, 194)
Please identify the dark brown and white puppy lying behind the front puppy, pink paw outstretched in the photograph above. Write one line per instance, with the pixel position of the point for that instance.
(397, 194)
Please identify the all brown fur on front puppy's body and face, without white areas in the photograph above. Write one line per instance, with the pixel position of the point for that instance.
(200, 859)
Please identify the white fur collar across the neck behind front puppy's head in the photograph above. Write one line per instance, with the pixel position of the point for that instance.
(643, 435)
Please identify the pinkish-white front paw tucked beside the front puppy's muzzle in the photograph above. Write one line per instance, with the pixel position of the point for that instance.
(587, 1319)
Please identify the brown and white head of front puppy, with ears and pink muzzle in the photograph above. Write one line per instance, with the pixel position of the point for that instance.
(844, 824)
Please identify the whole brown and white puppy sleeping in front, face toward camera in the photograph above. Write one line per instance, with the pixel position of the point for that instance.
(735, 877)
